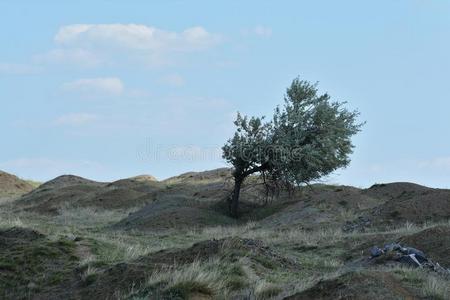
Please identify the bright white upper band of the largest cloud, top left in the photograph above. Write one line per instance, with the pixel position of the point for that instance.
(135, 37)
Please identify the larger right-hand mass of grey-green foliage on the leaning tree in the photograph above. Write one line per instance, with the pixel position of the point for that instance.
(312, 133)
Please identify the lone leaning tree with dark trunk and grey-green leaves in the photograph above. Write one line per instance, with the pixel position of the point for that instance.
(309, 137)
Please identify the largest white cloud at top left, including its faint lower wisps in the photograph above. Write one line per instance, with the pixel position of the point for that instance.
(91, 45)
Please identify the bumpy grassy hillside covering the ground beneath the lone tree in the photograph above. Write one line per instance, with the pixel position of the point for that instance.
(139, 238)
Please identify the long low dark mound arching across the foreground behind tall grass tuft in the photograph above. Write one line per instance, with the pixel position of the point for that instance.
(121, 276)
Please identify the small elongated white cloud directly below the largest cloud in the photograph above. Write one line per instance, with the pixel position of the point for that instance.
(91, 87)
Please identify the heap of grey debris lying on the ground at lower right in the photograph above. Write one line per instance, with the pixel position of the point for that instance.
(409, 256)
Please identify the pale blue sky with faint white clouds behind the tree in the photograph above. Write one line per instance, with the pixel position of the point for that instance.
(111, 89)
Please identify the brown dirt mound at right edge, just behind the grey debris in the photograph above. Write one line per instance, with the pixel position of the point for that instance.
(434, 242)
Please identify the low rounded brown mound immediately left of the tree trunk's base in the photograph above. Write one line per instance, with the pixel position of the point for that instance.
(176, 212)
